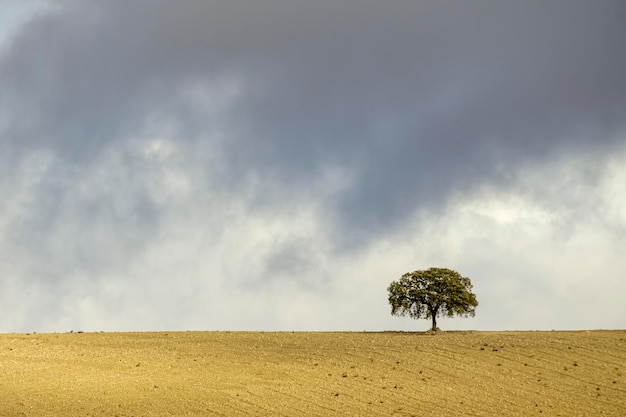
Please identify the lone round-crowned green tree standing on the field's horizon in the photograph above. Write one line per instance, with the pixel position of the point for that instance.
(431, 293)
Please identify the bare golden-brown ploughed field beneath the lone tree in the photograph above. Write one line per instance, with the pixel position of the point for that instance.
(314, 374)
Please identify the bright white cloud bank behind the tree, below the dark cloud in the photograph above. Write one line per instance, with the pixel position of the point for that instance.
(205, 266)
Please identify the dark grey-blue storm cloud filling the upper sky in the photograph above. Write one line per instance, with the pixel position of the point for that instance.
(413, 99)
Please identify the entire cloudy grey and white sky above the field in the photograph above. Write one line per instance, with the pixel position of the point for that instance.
(275, 164)
